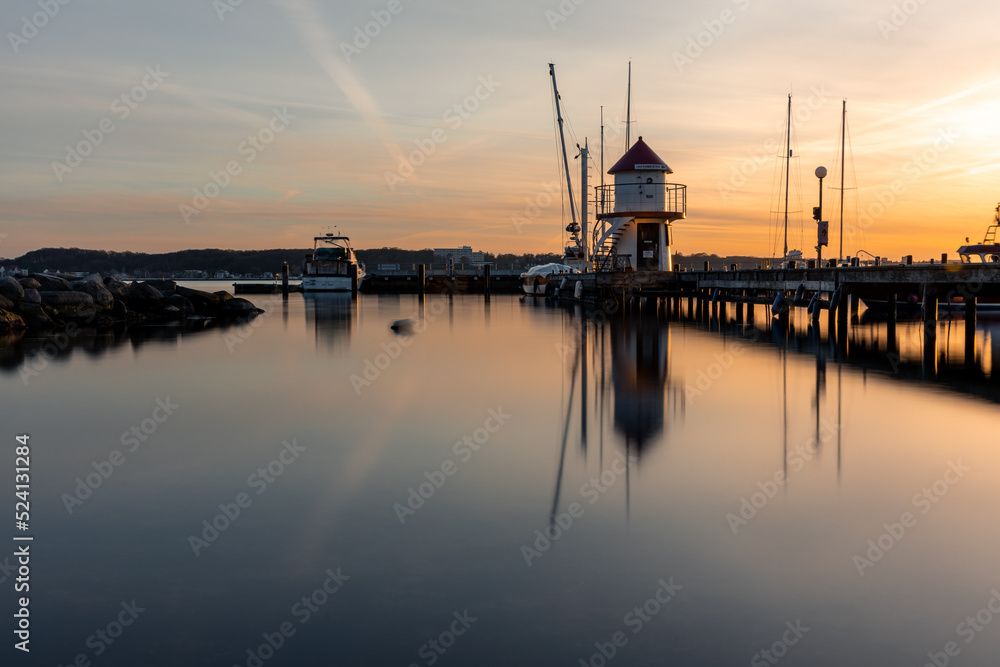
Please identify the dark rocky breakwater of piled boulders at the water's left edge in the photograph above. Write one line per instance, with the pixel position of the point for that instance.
(45, 302)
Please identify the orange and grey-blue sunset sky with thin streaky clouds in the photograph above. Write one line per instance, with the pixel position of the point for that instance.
(250, 124)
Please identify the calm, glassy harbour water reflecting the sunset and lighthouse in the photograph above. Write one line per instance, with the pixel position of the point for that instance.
(510, 483)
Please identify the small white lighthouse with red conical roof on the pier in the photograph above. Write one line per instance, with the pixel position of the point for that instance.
(635, 214)
